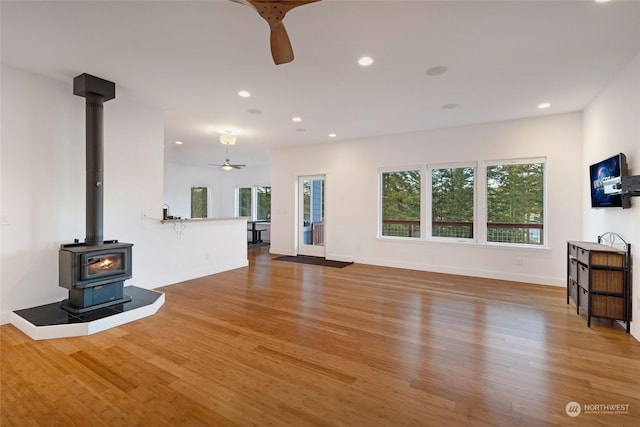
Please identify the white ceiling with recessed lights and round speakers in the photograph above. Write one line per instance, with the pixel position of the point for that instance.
(190, 58)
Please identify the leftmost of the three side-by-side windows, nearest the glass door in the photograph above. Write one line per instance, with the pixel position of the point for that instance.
(400, 196)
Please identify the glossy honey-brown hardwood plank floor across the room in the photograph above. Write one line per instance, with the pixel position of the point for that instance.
(286, 344)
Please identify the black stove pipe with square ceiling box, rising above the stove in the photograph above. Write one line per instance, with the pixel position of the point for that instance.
(96, 91)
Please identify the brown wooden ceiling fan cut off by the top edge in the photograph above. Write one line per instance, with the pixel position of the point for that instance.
(273, 12)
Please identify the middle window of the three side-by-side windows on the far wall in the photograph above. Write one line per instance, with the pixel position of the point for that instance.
(452, 202)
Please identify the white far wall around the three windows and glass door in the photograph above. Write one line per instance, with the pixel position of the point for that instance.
(351, 204)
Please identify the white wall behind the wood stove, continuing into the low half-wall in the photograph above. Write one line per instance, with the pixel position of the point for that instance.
(42, 194)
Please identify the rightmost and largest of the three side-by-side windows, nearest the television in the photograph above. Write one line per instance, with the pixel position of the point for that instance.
(515, 202)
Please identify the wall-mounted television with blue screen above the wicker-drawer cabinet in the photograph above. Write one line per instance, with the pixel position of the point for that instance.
(604, 178)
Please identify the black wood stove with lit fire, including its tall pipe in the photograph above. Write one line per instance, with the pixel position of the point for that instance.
(94, 271)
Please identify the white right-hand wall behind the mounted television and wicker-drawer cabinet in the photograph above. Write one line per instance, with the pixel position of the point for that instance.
(612, 125)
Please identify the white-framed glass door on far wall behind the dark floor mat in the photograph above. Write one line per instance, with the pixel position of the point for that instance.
(311, 220)
